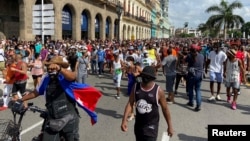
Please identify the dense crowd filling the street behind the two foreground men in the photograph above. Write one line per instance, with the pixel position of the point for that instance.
(184, 61)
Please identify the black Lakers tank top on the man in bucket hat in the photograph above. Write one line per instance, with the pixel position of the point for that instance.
(147, 111)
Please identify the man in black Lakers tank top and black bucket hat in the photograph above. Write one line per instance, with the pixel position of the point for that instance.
(147, 97)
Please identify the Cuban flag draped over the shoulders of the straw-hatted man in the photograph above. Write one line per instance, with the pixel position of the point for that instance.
(84, 95)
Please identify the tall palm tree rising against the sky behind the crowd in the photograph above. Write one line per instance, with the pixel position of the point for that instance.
(225, 17)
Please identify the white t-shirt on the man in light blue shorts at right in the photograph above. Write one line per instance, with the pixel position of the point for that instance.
(216, 61)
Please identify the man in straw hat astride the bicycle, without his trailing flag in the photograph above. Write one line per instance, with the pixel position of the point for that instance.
(61, 108)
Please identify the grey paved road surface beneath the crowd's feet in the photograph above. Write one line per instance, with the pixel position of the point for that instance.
(188, 125)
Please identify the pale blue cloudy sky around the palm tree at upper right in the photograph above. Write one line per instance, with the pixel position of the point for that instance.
(193, 11)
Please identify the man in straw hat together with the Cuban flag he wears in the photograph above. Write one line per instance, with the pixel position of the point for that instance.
(62, 94)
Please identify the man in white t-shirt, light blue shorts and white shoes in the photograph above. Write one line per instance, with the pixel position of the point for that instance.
(215, 61)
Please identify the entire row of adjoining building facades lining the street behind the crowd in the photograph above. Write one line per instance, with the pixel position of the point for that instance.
(84, 19)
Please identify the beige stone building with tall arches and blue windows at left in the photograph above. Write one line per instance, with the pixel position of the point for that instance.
(76, 19)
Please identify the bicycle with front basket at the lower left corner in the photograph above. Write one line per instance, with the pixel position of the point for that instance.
(10, 129)
